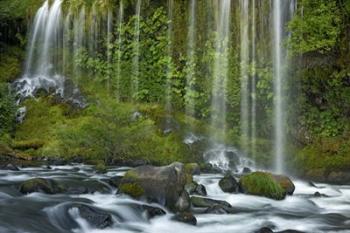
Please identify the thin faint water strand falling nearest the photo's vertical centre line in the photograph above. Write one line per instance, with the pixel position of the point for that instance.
(169, 73)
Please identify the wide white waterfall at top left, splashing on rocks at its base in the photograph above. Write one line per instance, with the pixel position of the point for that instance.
(40, 70)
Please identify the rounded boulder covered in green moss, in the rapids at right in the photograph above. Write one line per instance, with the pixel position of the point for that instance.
(262, 184)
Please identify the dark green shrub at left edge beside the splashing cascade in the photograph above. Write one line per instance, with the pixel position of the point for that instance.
(7, 110)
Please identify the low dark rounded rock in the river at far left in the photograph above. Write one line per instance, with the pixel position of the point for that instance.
(40, 185)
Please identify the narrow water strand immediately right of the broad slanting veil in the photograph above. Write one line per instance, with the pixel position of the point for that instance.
(244, 26)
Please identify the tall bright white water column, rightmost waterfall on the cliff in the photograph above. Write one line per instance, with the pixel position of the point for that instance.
(282, 11)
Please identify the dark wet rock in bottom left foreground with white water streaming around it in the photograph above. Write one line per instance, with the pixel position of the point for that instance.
(95, 217)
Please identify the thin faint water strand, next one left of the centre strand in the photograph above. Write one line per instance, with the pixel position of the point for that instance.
(136, 58)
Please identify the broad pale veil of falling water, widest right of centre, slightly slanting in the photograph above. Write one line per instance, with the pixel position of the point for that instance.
(218, 116)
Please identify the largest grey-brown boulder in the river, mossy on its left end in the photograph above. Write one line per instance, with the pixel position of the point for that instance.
(163, 185)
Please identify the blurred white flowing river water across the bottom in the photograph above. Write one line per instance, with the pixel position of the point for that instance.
(44, 213)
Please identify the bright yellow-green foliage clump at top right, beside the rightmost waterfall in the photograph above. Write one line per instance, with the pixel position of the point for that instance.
(316, 27)
